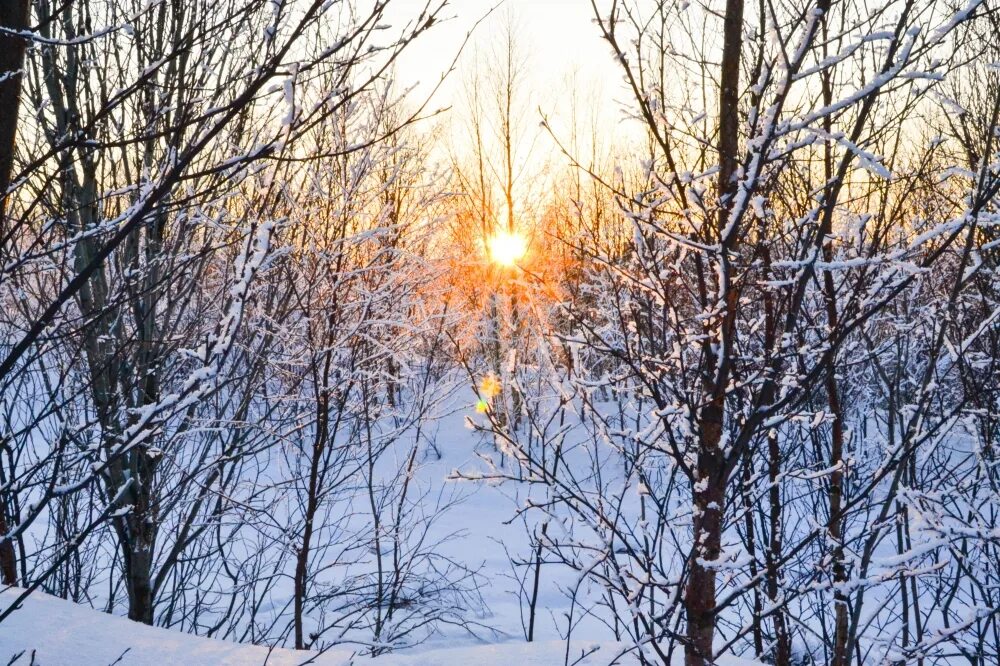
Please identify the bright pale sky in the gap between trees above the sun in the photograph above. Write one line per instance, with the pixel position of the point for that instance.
(558, 40)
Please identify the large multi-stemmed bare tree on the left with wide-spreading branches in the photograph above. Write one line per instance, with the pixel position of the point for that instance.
(145, 208)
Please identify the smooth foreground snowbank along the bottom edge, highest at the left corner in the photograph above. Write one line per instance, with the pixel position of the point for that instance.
(53, 632)
